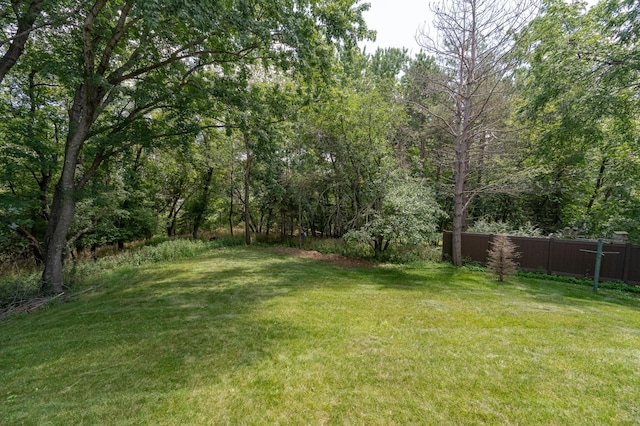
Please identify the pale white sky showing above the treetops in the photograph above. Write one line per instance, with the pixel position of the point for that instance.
(398, 21)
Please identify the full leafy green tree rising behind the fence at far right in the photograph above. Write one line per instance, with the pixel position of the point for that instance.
(580, 105)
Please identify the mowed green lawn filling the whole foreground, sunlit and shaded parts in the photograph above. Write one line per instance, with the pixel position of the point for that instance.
(252, 336)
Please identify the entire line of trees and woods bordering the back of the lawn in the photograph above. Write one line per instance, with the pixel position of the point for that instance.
(125, 119)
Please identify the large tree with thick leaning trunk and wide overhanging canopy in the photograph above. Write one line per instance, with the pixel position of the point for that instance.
(135, 57)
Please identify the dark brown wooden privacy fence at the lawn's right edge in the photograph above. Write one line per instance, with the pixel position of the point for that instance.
(573, 258)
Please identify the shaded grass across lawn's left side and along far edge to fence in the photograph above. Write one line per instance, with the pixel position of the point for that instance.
(144, 333)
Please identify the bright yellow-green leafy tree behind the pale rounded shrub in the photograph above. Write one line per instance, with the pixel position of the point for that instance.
(348, 131)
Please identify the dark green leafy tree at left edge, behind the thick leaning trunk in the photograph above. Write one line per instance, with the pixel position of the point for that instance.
(32, 123)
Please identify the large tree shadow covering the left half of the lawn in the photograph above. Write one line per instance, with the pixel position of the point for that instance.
(141, 333)
